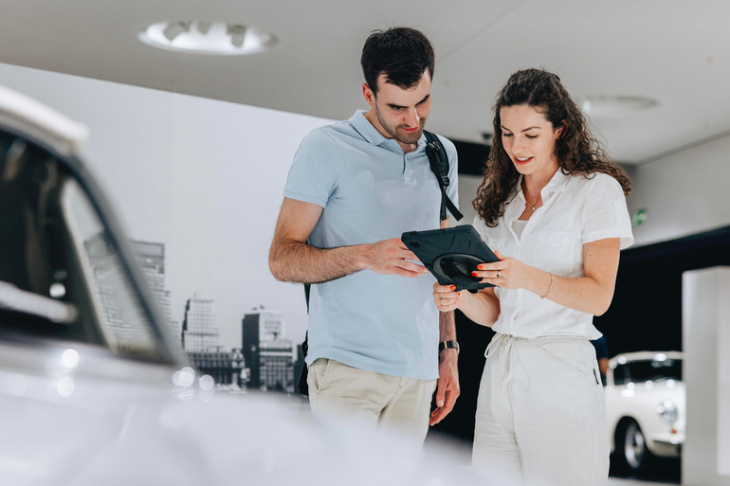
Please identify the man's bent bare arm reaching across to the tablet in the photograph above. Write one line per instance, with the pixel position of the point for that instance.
(291, 259)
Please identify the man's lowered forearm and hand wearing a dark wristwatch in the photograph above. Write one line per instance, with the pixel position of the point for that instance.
(448, 389)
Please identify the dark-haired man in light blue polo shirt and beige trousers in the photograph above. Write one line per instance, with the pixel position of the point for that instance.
(353, 189)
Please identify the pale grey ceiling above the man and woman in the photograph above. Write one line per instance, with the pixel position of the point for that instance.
(676, 52)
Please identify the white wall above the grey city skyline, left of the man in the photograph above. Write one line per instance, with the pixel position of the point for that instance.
(204, 177)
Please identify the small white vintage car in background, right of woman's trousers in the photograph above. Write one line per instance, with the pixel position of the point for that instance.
(645, 407)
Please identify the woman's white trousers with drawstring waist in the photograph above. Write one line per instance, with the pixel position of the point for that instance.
(541, 412)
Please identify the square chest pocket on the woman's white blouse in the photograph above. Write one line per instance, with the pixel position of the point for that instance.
(559, 252)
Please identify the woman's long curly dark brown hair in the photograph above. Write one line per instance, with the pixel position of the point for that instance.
(576, 151)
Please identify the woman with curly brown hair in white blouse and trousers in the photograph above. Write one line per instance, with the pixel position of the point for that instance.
(552, 207)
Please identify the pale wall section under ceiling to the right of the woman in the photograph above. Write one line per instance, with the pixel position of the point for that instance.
(684, 193)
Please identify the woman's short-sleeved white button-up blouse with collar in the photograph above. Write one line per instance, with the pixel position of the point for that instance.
(575, 211)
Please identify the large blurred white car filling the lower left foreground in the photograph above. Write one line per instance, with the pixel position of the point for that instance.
(92, 389)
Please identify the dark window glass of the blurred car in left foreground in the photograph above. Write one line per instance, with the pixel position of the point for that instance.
(61, 276)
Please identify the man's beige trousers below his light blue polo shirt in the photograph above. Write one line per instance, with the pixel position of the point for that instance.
(387, 402)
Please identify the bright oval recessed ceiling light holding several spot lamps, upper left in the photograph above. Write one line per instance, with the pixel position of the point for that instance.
(202, 37)
